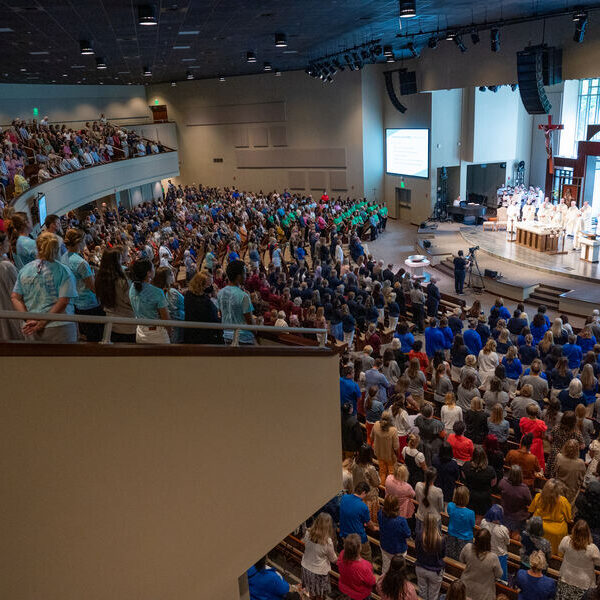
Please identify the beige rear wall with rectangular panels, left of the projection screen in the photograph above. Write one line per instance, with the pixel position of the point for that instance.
(316, 117)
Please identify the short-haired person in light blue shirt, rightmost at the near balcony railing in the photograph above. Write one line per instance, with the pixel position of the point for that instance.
(235, 304)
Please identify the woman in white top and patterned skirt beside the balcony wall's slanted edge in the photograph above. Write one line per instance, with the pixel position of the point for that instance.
(319, 553)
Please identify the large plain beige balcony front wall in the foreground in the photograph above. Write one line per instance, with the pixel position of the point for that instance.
(158, 477)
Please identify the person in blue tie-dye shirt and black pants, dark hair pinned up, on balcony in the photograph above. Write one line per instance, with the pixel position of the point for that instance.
(86, 302)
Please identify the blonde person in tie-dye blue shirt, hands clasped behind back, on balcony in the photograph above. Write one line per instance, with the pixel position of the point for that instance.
(45, 285)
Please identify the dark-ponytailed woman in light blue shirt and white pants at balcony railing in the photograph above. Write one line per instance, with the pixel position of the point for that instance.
(148, 302)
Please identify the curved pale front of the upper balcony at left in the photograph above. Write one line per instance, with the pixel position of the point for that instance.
(70, 191)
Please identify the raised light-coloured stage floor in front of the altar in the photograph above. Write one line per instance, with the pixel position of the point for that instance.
(568, 265)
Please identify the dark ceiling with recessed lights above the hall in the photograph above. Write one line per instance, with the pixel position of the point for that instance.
(226, 30)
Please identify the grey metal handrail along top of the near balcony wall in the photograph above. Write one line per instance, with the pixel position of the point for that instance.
(108, 322)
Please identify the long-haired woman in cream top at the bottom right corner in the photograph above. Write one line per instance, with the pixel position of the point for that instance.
(580, 557)
